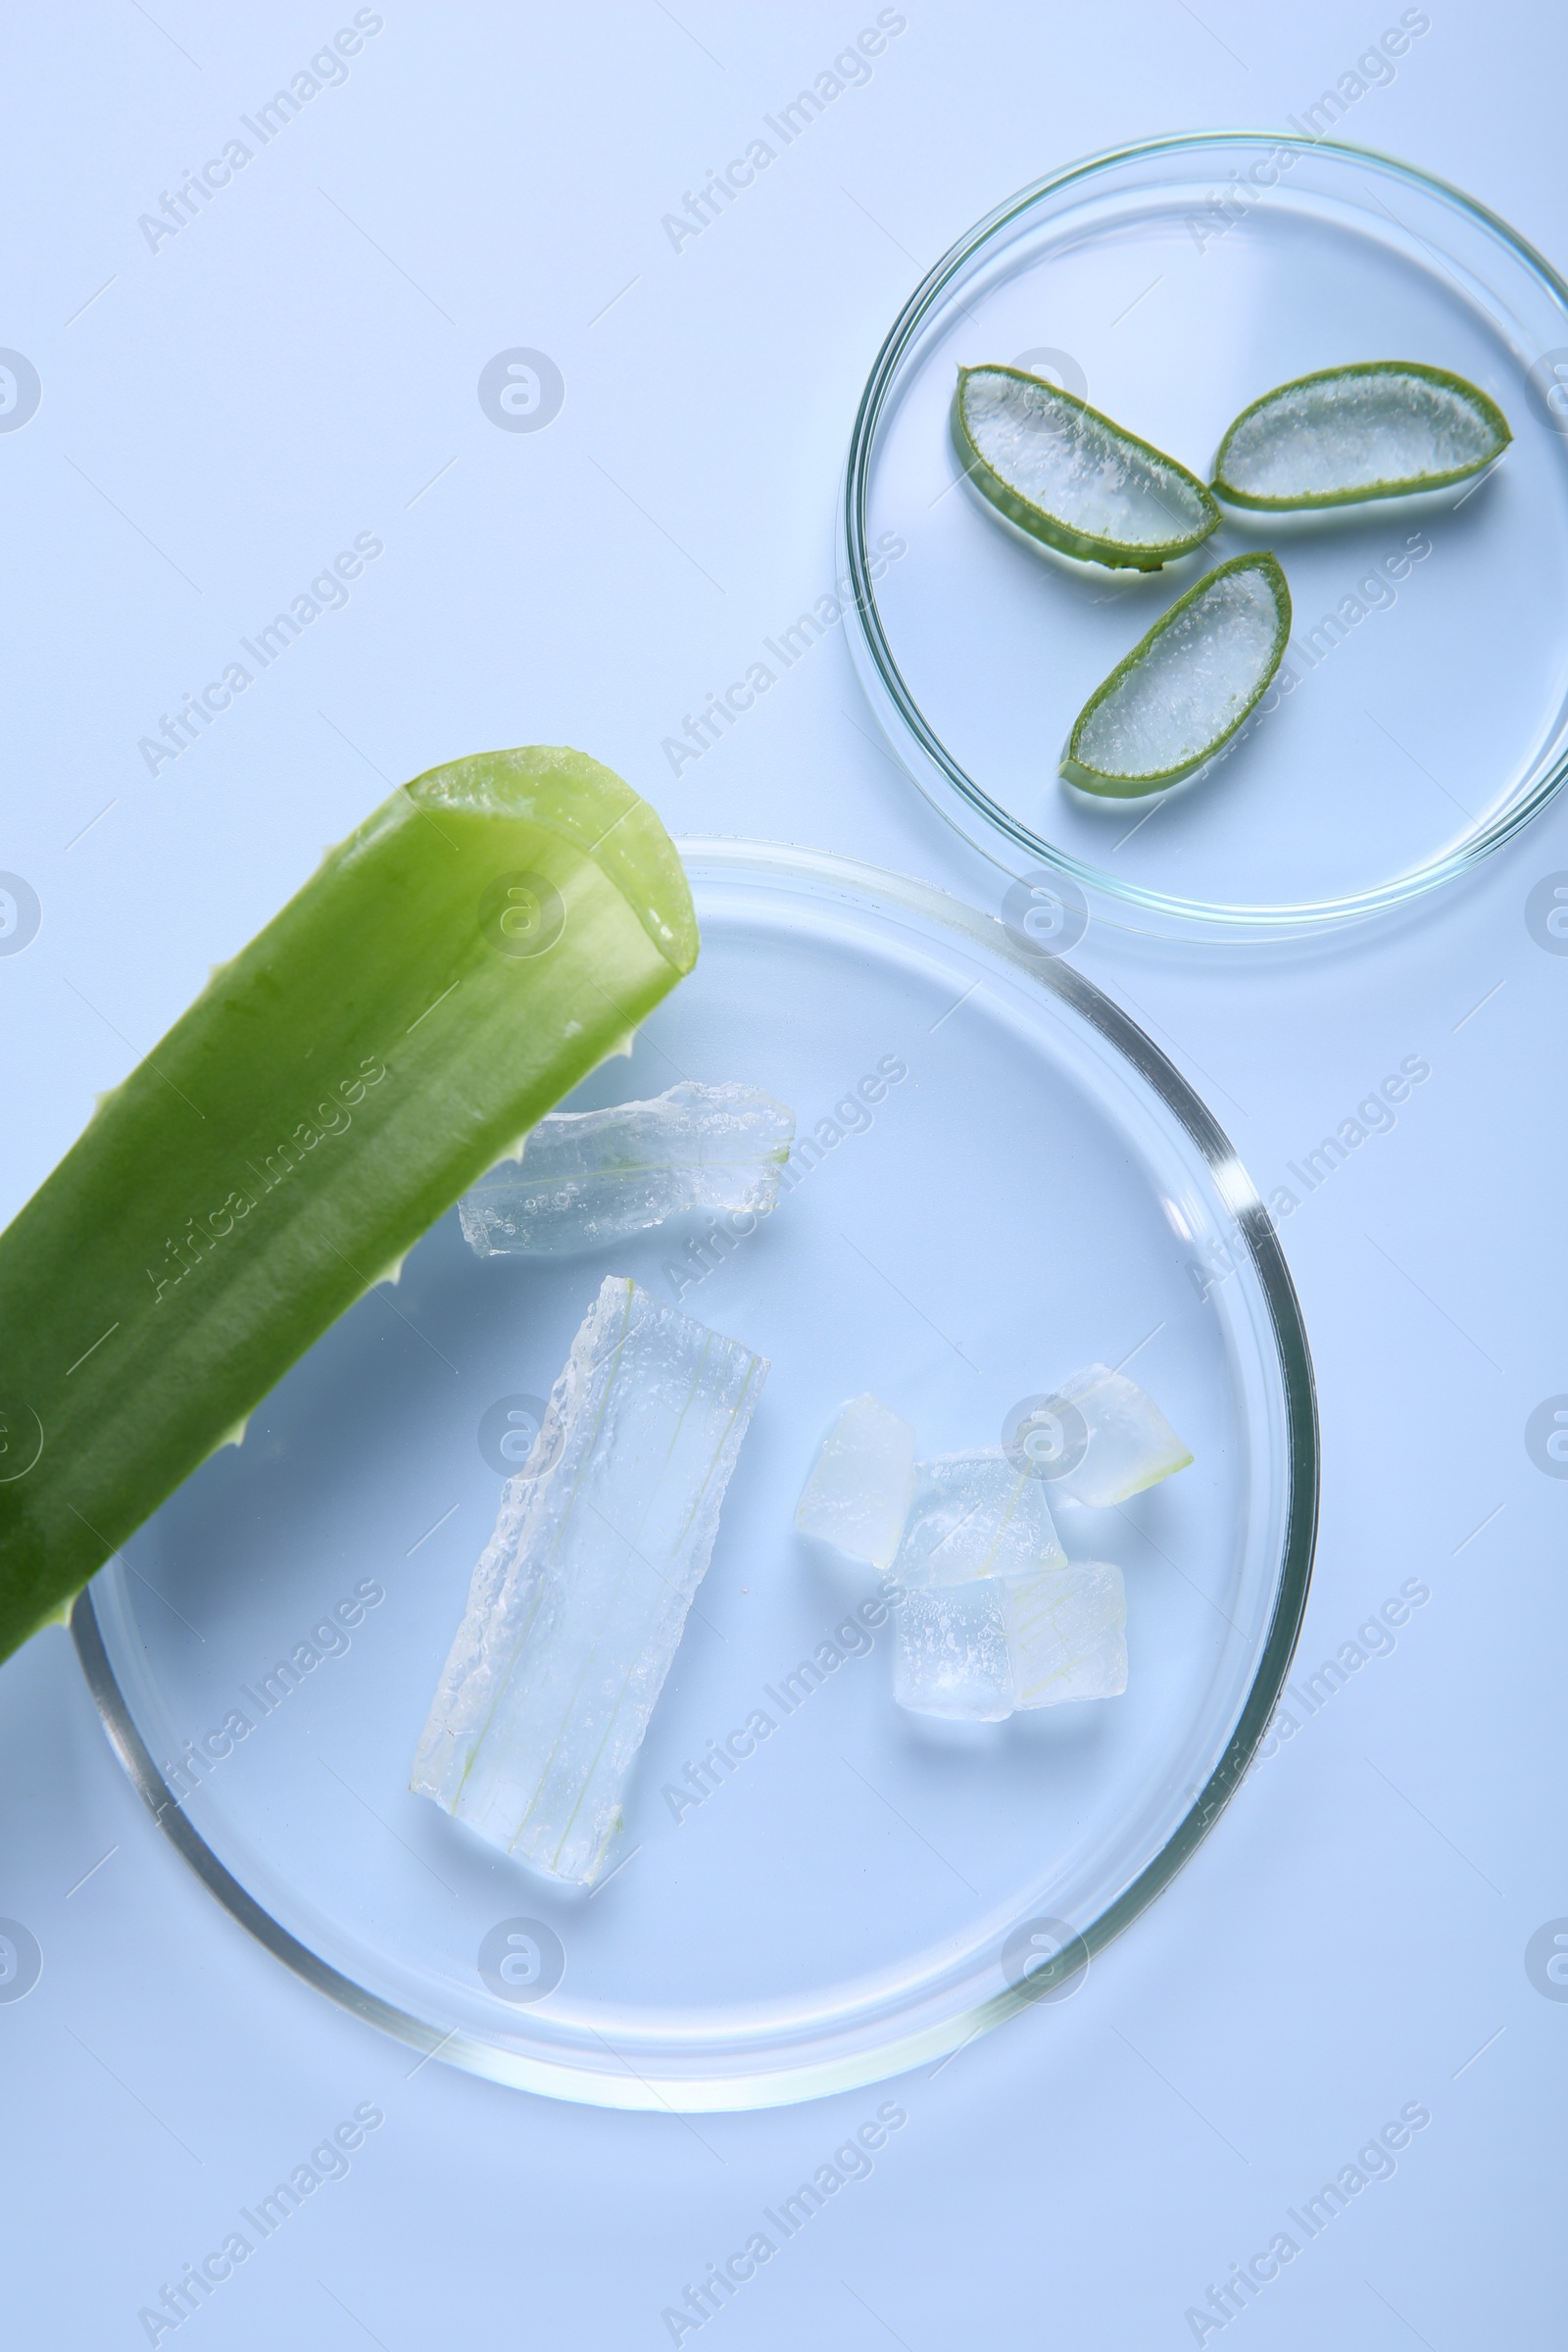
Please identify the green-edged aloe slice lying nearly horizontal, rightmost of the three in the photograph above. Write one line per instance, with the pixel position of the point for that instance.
(1383, 429)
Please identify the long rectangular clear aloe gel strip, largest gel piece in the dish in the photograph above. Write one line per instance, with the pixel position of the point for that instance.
(582, 1596)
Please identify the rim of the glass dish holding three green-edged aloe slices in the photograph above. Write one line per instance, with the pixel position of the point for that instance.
(1167, 914)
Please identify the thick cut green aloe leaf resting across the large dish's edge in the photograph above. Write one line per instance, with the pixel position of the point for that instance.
(453, 968)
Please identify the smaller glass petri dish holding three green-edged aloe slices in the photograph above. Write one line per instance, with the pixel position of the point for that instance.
(1421, 716)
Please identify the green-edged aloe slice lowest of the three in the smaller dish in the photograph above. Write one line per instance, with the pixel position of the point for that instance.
(1186, 688)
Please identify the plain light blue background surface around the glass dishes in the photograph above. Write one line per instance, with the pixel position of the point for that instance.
(232, 410)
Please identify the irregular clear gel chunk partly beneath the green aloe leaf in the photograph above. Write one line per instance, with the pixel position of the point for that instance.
(594, 1177)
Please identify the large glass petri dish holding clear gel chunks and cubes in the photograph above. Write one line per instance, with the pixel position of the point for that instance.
(996, 1180)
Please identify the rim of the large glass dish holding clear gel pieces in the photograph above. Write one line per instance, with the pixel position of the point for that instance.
(880, 2062)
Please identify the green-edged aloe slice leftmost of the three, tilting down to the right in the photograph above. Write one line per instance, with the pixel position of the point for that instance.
(1073, 479)
